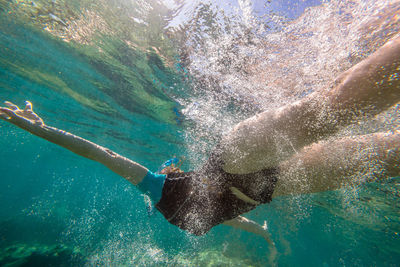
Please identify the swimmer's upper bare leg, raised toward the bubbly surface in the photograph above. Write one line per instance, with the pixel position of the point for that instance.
(266, 139)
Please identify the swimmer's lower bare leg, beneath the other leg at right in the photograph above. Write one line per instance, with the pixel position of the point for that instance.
(329, 165)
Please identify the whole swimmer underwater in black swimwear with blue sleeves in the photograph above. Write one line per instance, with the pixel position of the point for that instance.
(251, 166)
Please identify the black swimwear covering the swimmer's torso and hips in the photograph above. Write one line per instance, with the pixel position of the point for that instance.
(197, 201)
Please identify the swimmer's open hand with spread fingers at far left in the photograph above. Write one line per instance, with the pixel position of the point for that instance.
(20, 117)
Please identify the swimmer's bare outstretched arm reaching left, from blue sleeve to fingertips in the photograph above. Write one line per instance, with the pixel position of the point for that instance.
(29, 121)
